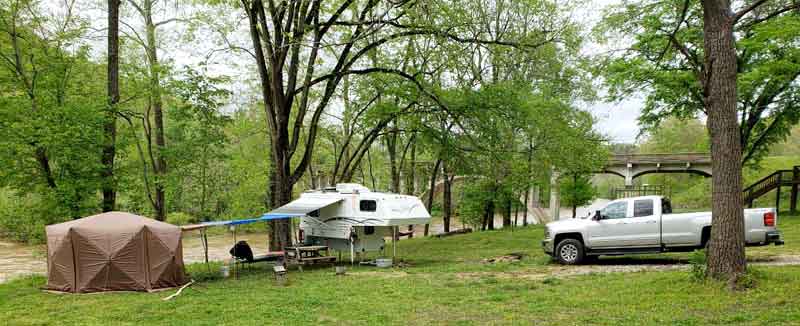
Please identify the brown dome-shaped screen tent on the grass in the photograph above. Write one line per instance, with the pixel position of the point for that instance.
(114, 251)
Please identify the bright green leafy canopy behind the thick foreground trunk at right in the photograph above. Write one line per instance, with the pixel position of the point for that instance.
(666, 68)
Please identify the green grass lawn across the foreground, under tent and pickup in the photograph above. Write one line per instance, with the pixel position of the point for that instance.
(446, 284)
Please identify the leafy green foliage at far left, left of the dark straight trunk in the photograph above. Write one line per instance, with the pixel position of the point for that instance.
(50, 131)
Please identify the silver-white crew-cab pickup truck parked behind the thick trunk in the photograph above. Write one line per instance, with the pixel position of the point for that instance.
(646, 225)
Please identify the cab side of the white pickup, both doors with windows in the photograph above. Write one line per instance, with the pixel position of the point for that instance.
(626, 224)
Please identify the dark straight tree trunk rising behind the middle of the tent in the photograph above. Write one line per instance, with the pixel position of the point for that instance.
(110, 123)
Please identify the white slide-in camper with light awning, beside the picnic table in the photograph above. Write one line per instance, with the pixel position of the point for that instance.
(352, 218)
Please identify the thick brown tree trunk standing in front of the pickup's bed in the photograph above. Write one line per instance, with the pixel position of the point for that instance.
(726, 259)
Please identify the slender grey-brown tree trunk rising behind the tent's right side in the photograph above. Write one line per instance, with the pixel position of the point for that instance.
(156, 104)
